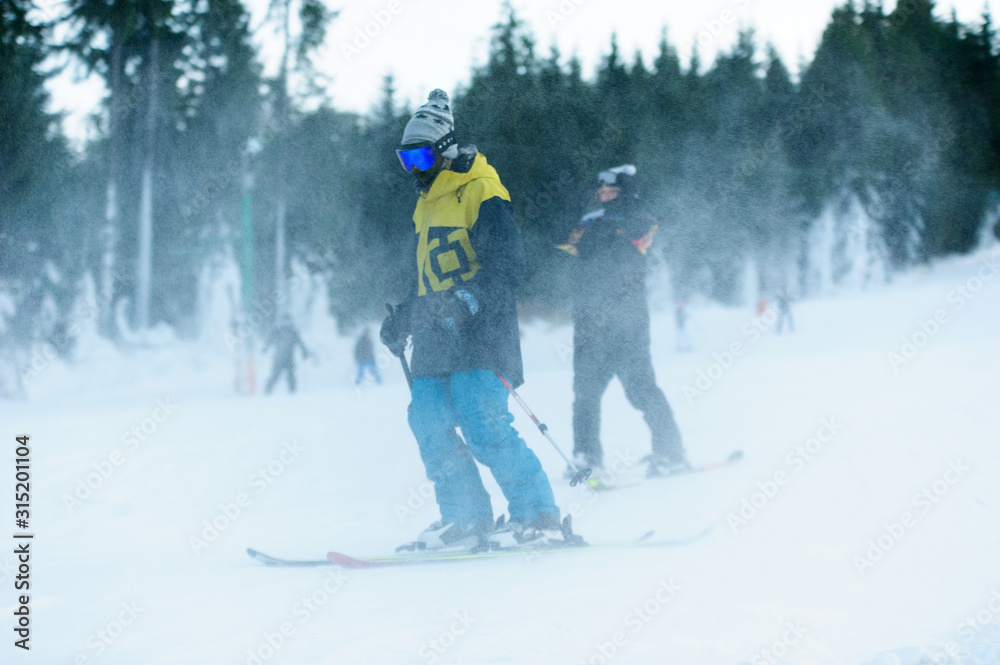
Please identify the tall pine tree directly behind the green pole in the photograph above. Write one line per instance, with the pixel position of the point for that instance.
(211, 158)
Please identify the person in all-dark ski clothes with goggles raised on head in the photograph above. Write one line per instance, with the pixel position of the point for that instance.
(611, 323)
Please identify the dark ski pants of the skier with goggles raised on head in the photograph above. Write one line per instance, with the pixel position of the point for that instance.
(594, 365)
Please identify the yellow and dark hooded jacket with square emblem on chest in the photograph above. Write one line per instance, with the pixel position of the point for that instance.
(466, 238)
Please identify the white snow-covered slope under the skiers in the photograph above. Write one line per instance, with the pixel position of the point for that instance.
(862, 527)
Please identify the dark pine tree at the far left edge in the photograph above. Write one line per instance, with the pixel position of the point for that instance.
(39, 249)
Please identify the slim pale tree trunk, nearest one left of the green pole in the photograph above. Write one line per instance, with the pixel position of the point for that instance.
(145, 259)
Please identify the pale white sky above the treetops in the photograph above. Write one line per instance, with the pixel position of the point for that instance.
(434, 43)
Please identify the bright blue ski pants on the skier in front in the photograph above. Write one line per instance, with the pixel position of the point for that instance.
(476, 401)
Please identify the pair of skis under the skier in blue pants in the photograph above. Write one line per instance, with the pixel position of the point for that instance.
(347, 561)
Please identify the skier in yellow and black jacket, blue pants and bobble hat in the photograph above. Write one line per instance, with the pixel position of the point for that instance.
(462, 316)
